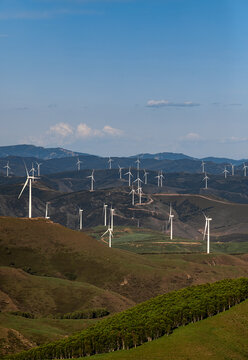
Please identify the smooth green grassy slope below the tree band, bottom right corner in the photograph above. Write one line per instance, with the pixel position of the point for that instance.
(223, 336)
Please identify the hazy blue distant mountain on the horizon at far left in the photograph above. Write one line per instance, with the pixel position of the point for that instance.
(36, 151)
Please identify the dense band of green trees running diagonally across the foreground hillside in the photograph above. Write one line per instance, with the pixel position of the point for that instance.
(146, 321)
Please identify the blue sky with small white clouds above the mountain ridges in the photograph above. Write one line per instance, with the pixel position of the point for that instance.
(123, 77)
